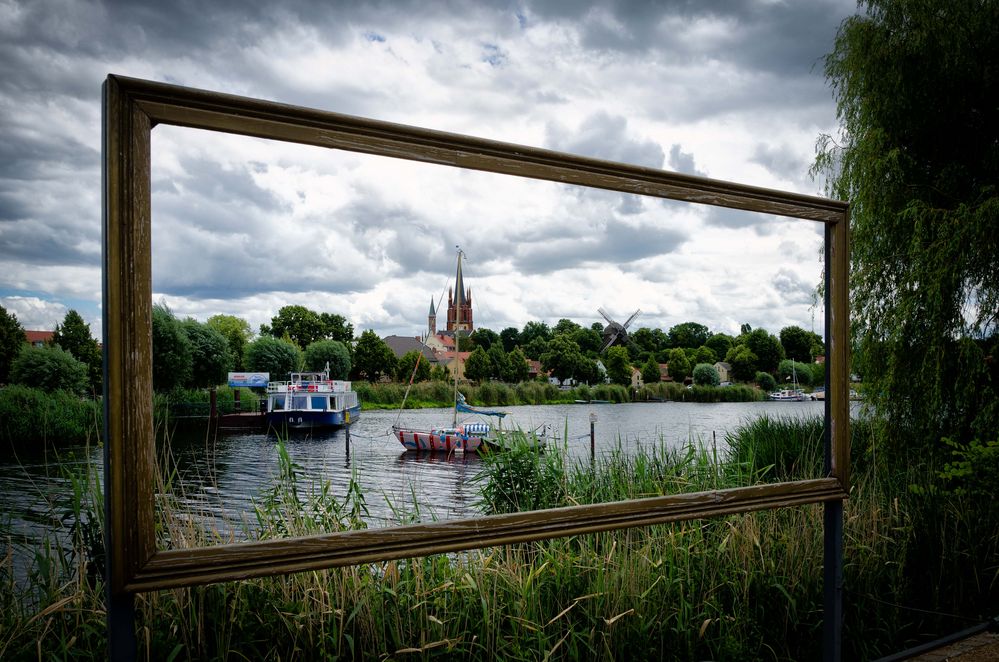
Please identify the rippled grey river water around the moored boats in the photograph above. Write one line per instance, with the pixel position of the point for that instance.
(219, 480)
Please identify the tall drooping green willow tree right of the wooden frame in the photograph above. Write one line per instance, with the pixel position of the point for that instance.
(917, 89)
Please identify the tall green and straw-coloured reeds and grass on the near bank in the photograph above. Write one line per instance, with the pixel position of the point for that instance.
(744, 587)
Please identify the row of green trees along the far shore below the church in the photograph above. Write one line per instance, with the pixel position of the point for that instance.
(192, 354)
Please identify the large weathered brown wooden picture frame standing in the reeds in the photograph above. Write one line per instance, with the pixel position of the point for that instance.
(133, 107)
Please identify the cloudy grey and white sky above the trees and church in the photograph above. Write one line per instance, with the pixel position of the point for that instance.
(728, 90)
